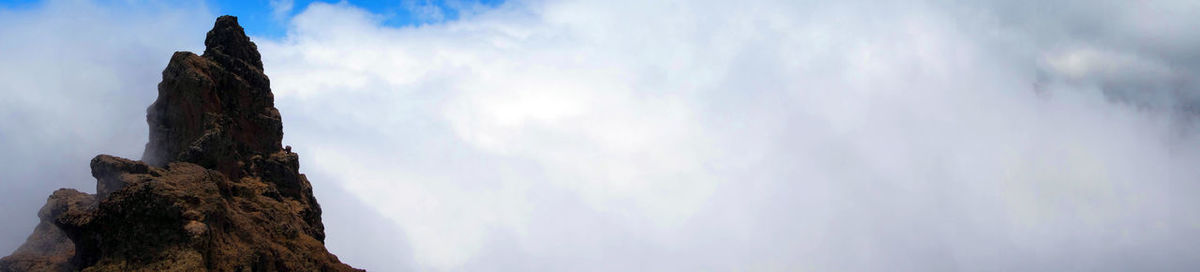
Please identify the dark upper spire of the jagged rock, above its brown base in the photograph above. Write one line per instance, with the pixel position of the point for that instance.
(215, 110)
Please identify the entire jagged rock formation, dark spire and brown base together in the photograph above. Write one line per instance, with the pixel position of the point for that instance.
(214, 190)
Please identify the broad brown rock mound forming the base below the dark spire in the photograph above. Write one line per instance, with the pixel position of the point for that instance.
(194, 219)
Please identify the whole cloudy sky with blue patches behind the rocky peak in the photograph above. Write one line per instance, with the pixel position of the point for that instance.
(668, 136)
